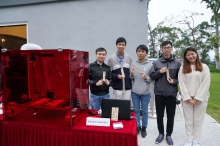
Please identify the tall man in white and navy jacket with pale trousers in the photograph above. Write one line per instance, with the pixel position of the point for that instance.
(120, 64)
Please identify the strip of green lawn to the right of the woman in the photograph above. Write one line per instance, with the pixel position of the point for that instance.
(213, 108)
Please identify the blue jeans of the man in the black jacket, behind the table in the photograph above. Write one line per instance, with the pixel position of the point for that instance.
(96, 100)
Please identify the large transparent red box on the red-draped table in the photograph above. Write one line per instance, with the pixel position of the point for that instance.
(44, 86)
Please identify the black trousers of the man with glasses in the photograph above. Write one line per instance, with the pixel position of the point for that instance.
(169, 103)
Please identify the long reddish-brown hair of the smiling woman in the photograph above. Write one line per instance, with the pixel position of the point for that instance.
(186, 63)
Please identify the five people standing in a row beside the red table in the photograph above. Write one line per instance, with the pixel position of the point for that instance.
(131, 80)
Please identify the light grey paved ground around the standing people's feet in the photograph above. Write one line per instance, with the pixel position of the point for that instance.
(210, 136)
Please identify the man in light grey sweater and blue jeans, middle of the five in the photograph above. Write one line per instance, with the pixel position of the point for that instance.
(141, 87)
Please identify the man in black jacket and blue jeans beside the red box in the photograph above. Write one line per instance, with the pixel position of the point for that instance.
(99, 79)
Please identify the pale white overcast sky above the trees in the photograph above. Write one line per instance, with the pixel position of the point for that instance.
(160, 9)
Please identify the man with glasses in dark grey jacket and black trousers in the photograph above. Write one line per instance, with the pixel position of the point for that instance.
(165, 73)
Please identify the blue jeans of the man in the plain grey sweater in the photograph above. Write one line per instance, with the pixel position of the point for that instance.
(142, 100)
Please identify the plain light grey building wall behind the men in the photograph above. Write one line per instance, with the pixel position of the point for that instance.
(82, 25)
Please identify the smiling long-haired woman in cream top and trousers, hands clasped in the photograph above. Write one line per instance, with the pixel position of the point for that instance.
(194, 81)
